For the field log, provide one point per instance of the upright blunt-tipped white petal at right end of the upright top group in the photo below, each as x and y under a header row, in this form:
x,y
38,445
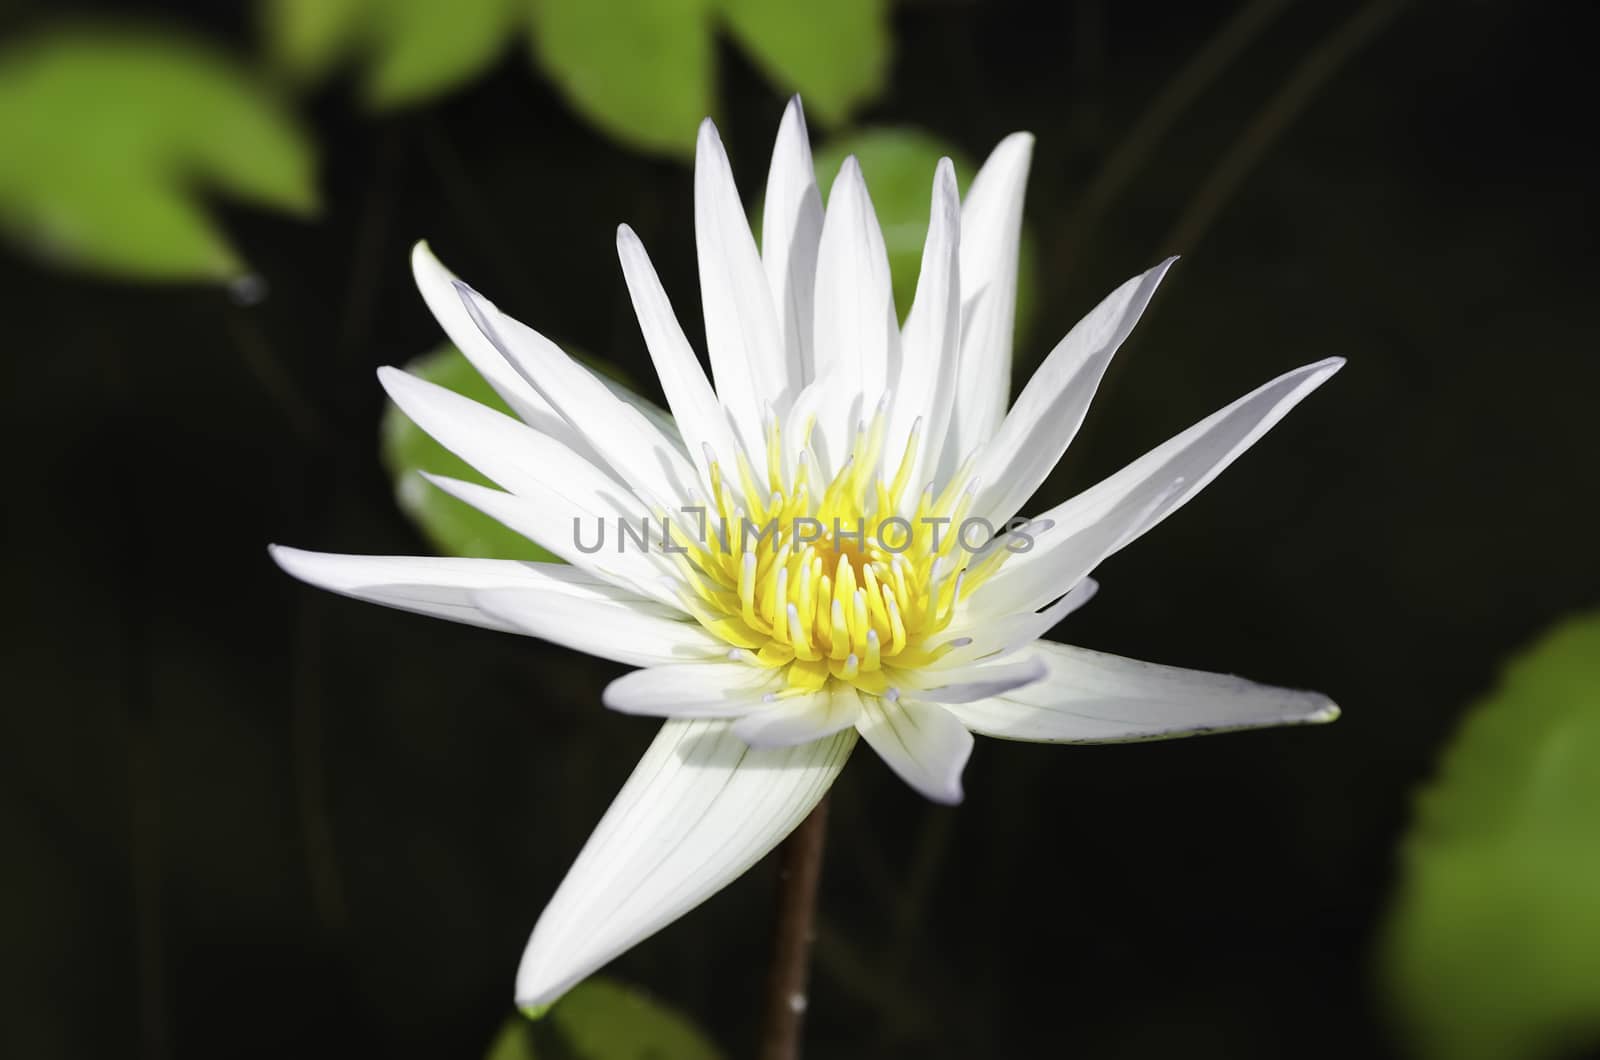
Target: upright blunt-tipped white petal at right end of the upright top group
x,y
991,243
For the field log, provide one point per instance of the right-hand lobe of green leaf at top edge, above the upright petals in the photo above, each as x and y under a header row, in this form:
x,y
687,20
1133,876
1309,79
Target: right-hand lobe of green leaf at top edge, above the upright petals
x,y
836,54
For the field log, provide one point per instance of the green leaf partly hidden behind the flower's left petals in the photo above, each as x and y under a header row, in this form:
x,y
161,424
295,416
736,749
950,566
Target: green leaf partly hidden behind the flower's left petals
x,y
454,528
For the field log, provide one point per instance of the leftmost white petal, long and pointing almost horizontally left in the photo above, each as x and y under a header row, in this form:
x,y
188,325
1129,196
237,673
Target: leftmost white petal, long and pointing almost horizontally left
x,y
430,585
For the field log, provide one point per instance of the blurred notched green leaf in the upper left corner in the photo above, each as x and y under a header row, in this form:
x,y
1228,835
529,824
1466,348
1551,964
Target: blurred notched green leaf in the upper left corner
x,y
111,135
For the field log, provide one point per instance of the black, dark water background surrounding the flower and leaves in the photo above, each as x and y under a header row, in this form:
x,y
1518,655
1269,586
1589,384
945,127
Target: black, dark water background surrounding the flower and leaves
x,y
249,819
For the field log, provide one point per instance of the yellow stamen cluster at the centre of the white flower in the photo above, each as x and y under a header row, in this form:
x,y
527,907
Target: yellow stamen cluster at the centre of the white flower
x,y
833,580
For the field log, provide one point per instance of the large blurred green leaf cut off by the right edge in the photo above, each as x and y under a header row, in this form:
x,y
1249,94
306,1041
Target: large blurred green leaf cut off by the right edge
x,y
1495,942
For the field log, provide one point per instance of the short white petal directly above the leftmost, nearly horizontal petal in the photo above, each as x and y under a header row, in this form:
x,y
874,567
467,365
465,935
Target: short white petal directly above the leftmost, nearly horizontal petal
x,y
580,521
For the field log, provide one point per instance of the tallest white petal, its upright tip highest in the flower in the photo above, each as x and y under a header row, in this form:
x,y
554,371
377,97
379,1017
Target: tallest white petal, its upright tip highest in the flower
x,y
791,228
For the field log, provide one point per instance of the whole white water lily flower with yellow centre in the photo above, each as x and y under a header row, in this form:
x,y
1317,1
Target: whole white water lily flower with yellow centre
x,y
770,654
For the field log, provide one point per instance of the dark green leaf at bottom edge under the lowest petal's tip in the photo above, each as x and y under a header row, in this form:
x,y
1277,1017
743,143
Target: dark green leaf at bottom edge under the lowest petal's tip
x,y
606,1021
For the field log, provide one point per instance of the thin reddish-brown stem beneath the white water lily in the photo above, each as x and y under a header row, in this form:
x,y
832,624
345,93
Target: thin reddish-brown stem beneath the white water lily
x,y
799,870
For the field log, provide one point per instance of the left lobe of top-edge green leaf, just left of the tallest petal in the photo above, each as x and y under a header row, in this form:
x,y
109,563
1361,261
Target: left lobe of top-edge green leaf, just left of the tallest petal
x,y
646,76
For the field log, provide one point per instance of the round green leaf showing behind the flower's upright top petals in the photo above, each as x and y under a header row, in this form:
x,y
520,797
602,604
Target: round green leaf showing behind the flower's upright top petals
x,y
898,166
